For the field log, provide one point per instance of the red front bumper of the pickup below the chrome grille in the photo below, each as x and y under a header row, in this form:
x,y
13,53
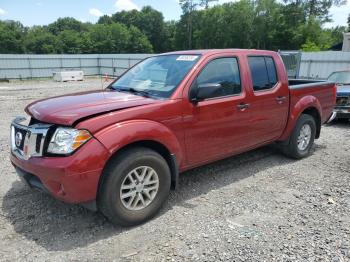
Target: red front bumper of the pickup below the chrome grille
x,y
72,179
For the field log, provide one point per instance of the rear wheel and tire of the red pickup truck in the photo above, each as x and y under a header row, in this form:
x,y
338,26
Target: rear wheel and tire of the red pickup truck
x,y
294,149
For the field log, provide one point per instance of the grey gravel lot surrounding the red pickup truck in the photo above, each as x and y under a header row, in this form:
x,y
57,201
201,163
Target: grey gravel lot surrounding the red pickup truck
x,y
256,206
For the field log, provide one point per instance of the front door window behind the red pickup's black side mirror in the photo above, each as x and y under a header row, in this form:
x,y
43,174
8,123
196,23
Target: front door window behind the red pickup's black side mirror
x,y
223,71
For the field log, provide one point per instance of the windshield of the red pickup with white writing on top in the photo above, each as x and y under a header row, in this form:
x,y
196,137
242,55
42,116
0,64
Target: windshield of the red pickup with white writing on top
x,y
156,76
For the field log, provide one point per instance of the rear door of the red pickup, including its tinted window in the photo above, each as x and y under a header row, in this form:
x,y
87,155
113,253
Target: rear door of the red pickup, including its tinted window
x,y
270,101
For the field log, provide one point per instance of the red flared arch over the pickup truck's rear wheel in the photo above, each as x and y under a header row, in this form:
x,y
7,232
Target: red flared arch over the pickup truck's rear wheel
x,y
296,110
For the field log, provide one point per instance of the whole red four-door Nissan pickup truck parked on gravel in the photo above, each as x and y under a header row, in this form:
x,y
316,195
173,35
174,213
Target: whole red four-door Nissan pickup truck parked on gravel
x,y
120,150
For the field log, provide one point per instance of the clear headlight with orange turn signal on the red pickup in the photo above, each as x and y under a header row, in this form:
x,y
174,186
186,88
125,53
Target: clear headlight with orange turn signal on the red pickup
x,y
65,140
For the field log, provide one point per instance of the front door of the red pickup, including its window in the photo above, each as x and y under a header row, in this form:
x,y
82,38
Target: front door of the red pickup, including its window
x,y
217,126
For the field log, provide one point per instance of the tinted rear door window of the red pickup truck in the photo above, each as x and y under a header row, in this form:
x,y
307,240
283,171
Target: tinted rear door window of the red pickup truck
x,y
263,71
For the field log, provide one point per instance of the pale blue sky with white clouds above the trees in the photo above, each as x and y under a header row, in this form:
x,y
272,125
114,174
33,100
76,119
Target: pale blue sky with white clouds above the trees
x,y
42,12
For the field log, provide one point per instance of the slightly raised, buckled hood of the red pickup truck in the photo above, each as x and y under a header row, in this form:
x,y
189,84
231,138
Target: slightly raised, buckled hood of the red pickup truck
x,y
67,109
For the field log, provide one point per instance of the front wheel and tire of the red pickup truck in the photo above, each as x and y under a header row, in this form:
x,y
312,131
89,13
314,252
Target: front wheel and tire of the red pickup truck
x,y
121,172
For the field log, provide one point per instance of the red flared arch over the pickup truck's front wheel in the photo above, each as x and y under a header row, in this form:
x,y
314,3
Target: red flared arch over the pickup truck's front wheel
x,y
116,136
